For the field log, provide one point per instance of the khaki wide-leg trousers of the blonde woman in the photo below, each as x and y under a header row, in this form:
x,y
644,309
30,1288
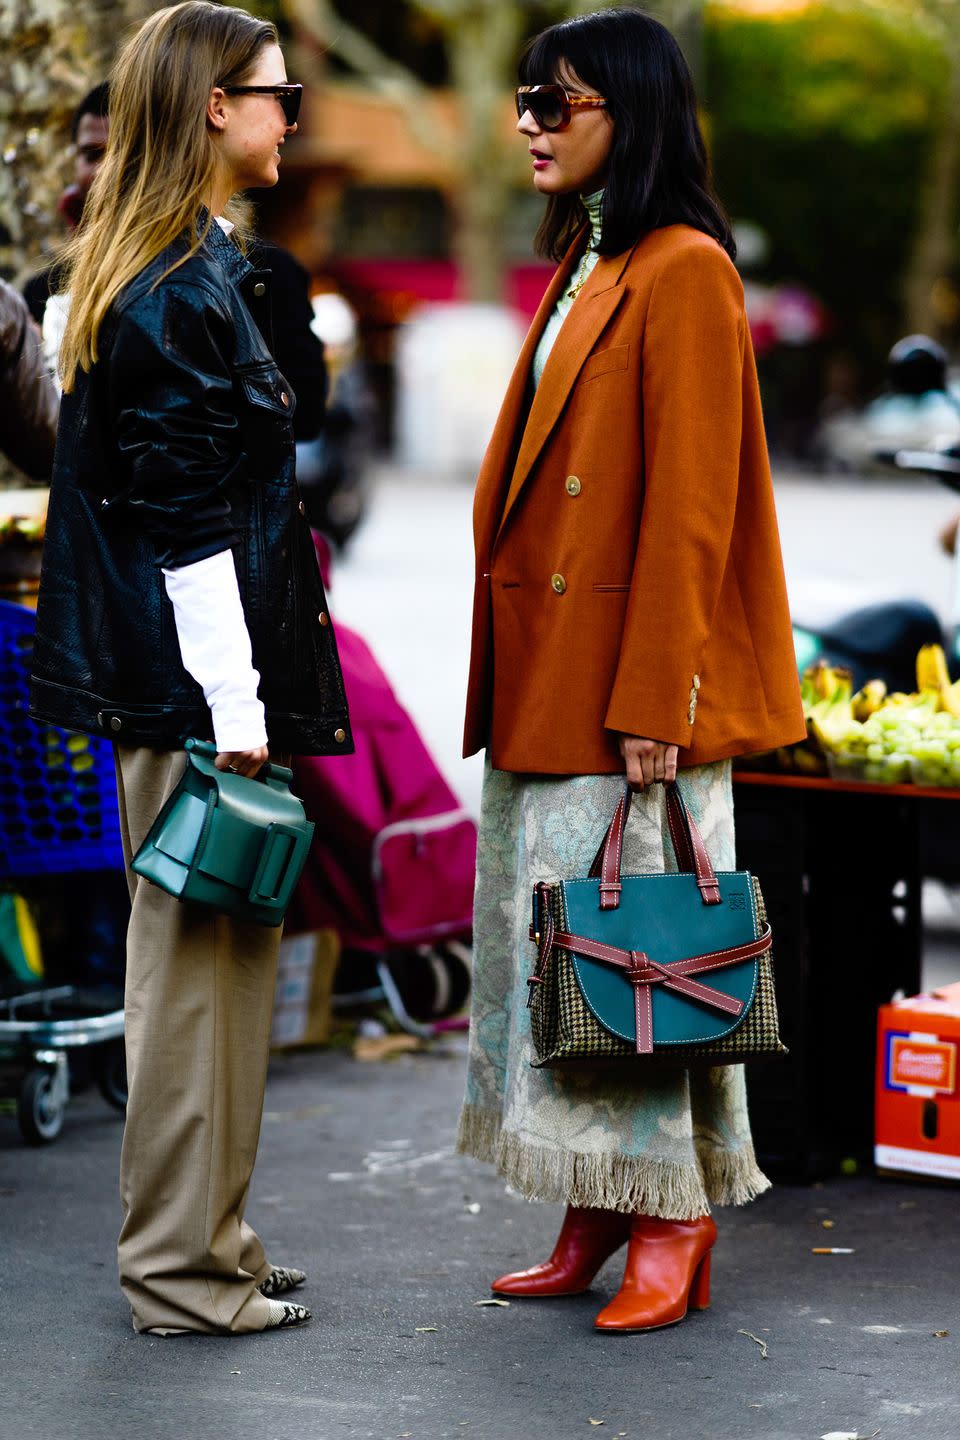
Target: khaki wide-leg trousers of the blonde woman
x,y
199,1006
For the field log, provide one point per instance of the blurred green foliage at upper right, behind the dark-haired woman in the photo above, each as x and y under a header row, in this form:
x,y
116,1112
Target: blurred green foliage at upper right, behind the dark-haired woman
x,y
823,123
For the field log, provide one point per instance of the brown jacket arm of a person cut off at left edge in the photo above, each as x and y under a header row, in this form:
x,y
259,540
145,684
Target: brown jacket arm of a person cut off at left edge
x,y
28,398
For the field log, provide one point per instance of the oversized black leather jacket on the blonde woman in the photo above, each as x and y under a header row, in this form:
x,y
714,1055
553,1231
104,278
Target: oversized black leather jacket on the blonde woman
x,y
175,447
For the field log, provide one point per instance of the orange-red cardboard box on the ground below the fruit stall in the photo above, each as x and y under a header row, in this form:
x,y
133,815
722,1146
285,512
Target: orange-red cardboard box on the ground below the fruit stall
x,y
918,1114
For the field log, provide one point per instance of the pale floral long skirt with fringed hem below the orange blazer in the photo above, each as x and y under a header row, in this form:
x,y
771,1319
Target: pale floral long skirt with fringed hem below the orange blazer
x,y
667,1143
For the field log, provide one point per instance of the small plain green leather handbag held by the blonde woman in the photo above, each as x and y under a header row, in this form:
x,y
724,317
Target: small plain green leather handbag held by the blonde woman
x,y
228,842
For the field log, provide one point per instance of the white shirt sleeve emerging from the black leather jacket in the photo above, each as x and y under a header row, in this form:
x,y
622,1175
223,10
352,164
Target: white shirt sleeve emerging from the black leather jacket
x,y
215,647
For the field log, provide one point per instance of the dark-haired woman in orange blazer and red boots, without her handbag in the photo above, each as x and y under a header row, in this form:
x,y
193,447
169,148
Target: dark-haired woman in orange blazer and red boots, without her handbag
x,y
630,618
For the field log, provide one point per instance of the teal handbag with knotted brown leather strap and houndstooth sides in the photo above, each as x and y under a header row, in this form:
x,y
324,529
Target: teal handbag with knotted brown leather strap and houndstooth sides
x,y
661,967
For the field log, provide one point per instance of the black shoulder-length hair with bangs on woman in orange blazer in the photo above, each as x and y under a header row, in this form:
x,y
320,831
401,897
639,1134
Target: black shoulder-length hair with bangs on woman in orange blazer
x,y
658,171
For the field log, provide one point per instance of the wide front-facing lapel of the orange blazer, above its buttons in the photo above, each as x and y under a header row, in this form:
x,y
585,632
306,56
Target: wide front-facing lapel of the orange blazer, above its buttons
x,y
579,333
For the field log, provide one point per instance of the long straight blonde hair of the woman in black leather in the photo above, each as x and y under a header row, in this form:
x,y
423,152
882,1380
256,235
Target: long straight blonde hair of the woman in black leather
x,y
160,163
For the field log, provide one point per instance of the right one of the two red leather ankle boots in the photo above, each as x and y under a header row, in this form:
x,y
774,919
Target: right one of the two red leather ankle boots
x,y
667,1272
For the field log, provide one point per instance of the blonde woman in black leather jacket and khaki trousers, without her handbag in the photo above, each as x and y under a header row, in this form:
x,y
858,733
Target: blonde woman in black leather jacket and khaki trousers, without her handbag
x,y
181,597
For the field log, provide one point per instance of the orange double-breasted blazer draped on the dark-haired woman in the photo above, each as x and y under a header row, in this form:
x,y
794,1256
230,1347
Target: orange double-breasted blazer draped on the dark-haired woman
x,y
628,559
